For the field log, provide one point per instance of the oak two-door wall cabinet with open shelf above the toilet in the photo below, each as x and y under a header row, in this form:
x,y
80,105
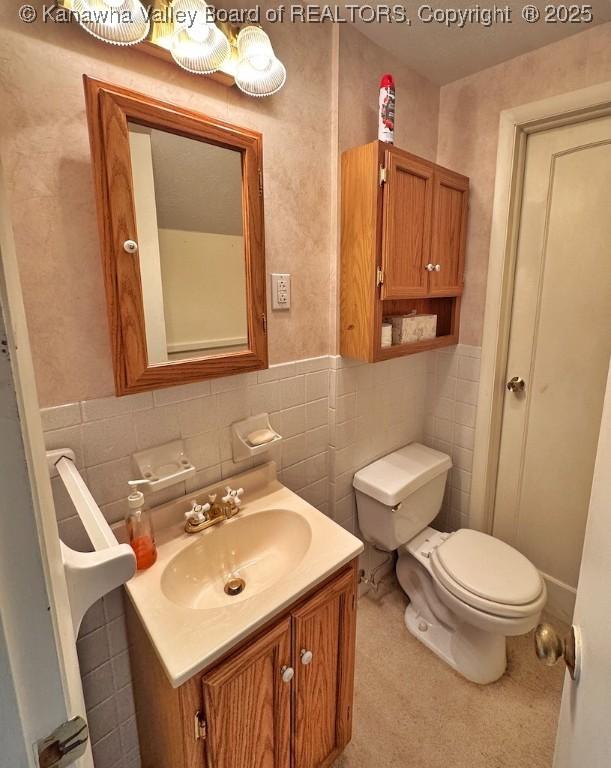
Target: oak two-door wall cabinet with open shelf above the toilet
x,y
403,233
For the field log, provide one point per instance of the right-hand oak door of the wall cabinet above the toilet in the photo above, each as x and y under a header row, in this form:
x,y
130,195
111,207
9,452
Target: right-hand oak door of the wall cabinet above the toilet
x,y
450,199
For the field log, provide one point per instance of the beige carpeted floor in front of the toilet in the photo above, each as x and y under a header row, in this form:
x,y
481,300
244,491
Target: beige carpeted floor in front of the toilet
x,y
413,711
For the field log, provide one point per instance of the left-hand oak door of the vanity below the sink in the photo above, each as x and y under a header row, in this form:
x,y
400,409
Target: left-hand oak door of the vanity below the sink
x,y
248,705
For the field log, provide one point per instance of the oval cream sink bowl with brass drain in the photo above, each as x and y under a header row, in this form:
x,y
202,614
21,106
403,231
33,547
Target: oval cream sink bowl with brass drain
x,y
261,549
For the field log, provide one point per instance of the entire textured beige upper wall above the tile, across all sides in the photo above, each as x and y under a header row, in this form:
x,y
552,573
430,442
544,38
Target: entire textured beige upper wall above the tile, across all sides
x,y
45,152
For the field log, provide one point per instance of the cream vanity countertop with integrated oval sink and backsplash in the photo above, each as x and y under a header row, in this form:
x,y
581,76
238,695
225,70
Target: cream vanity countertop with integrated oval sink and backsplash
x,y
278,544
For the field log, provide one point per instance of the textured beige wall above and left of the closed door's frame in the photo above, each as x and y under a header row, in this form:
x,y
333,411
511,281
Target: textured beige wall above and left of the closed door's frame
x,y
468,133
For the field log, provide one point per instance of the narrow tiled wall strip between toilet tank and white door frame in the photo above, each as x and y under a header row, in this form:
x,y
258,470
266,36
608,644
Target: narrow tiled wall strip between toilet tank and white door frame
x,y
452,386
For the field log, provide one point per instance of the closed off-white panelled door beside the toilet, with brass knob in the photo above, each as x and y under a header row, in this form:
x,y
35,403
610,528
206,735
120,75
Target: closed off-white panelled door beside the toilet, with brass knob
x,y
560,343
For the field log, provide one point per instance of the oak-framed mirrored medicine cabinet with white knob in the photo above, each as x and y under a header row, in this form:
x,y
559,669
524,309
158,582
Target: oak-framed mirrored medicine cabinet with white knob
x,y
180,211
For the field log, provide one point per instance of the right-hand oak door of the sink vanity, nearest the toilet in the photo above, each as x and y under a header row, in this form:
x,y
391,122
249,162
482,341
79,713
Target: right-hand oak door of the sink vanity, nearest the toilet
x,y
324,631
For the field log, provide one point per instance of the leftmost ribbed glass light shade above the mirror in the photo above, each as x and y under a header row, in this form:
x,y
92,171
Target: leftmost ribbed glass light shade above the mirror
x,y
119,22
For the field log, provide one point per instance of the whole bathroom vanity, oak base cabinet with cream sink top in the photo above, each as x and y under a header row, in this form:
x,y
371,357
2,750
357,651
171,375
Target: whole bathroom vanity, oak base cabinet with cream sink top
x,y
261,678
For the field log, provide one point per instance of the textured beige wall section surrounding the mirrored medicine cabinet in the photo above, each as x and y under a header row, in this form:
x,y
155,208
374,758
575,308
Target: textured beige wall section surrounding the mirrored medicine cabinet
x,y
45,153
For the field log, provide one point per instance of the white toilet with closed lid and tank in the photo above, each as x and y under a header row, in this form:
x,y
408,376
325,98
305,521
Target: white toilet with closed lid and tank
x,y
468,591
